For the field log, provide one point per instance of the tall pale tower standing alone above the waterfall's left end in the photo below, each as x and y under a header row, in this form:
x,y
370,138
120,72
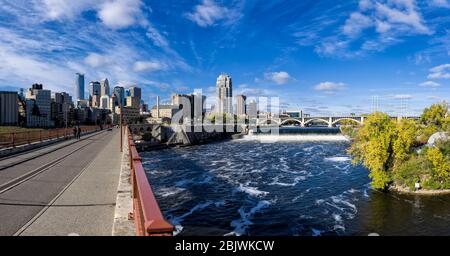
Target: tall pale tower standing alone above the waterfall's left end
x,y
225,94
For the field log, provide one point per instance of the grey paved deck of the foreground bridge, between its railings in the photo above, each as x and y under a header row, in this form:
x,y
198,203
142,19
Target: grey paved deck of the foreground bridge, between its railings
x,y
71,190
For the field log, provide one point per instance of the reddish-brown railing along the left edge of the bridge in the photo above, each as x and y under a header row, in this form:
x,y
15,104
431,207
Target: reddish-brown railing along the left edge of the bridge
x,y
14,139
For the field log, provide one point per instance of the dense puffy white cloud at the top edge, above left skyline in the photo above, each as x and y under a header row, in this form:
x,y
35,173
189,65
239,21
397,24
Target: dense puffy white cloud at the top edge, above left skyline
x,y
120,14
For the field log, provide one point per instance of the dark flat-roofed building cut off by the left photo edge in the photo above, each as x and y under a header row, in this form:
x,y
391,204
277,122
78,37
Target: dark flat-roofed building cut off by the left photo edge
x,y
9,108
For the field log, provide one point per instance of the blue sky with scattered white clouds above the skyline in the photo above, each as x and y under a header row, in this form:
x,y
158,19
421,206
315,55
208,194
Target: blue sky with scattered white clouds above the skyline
x,y
322,56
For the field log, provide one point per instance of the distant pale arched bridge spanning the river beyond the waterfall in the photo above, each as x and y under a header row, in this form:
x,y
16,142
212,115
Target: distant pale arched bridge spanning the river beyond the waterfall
x,y
330,121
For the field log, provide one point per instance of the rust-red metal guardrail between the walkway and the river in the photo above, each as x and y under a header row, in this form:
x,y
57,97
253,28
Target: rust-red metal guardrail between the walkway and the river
x,y
148,219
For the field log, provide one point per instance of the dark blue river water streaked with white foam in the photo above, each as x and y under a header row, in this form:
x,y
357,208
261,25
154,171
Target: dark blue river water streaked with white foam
x,y
295,186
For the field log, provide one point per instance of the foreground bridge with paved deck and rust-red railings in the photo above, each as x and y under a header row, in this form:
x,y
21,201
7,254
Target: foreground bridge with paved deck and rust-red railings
x,y
93,186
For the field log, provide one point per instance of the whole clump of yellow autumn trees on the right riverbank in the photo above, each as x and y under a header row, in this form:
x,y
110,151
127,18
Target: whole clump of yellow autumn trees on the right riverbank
x,y
389,149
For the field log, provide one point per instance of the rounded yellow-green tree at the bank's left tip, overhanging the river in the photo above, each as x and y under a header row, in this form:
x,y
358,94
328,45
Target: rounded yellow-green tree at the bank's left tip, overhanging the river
x,y
373,147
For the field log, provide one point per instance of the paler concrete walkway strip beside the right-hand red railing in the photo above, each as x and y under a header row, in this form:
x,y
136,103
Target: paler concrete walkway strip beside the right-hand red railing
x,y
86,206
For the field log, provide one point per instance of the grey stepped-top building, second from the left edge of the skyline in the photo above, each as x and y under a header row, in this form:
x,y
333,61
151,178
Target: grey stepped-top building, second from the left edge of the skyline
x,y
38,103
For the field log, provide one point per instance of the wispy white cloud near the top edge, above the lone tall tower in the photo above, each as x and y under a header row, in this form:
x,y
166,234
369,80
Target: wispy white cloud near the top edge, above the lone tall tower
x,y
208,13
